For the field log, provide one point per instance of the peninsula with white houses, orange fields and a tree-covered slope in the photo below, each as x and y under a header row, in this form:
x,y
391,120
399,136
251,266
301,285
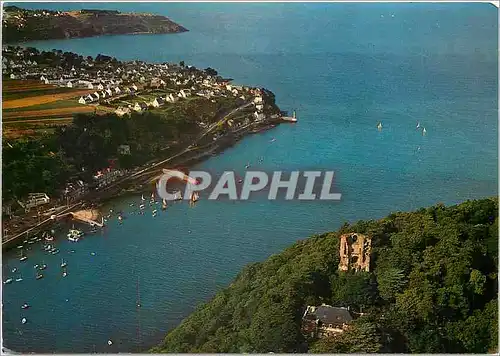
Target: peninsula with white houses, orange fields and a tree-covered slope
x,y
82,129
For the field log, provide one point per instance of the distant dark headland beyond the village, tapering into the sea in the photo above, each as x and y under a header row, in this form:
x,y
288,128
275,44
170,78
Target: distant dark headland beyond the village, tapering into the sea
x,y
25,25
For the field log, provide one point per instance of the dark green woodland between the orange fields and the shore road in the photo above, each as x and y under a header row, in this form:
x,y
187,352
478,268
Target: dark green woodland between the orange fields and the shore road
x,y
78,151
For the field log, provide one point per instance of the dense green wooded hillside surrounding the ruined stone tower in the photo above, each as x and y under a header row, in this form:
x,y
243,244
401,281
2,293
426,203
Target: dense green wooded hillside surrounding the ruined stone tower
x,y
432,289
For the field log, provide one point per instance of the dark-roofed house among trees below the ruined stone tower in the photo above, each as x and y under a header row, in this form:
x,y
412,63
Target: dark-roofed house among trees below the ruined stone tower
x,y
324,320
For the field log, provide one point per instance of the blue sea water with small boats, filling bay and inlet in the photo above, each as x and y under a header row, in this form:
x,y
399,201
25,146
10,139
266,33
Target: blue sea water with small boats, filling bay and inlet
x,y
344,67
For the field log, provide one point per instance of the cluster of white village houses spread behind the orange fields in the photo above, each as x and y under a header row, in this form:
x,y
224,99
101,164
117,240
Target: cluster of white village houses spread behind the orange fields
x,y
124,87
